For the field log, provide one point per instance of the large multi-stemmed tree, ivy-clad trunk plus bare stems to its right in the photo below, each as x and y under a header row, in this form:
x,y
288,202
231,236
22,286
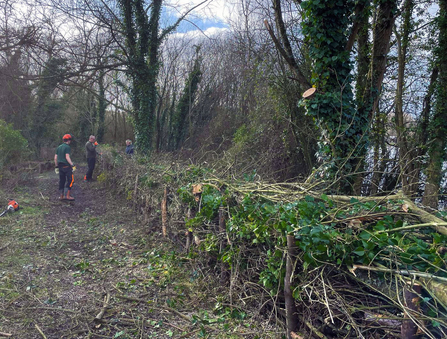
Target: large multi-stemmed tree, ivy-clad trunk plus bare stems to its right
x,y
329,32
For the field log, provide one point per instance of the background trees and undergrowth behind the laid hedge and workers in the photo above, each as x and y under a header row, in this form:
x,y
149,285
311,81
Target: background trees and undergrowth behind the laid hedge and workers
x,y
377,121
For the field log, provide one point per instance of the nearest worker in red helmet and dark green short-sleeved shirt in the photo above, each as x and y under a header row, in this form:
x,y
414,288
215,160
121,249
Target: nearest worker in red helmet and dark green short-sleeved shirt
x,y
65,167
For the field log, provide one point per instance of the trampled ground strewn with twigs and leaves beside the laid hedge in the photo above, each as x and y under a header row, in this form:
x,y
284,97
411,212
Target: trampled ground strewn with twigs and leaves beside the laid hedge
x,y
90,269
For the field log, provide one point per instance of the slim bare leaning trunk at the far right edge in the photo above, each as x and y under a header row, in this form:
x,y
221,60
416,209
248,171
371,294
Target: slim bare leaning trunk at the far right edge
x,y
438,128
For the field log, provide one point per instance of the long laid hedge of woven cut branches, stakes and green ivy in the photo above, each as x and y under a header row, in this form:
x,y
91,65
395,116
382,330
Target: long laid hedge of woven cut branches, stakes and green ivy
x,y
326,266
